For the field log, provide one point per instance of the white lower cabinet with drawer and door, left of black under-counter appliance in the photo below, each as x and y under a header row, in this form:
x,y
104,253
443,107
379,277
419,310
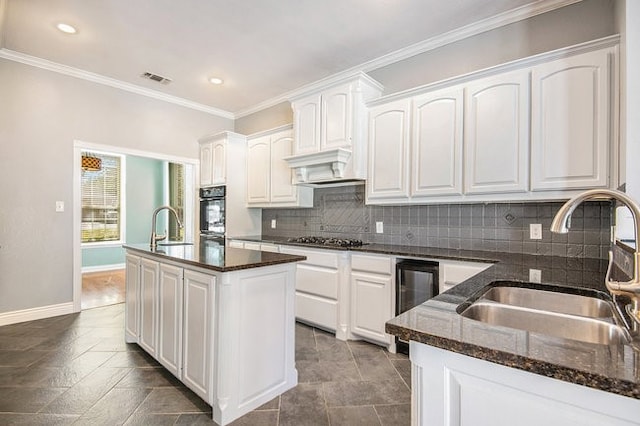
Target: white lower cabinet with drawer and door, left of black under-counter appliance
x,y
372,283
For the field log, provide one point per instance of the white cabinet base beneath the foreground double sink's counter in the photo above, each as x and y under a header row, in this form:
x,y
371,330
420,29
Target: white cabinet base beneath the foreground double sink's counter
x,y
454,389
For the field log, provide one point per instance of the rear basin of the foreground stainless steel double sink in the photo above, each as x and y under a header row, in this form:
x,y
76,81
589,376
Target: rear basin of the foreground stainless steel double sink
x,y
572,304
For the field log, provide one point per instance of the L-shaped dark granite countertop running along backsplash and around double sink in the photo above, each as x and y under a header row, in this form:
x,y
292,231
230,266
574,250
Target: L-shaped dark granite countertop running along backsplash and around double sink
x,y
611,368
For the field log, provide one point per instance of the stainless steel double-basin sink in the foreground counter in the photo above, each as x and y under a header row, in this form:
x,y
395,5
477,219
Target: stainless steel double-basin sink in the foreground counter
x,y
568,316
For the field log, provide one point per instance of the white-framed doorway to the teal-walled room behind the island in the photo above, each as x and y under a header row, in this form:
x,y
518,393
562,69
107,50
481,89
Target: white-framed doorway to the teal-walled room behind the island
x,y
96,284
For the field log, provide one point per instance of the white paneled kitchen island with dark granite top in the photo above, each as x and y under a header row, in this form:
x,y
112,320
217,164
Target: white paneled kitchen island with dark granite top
x,y
220,319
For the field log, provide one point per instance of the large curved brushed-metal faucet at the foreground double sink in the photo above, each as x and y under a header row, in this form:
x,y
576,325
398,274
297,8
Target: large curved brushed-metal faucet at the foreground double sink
x,y
562,221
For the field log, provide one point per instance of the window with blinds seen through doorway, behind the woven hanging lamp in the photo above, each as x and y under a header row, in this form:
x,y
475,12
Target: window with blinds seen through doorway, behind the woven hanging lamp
x,y
102,200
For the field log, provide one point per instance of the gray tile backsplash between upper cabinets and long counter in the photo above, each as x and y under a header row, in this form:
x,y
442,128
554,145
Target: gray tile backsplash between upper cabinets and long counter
x,y
341,212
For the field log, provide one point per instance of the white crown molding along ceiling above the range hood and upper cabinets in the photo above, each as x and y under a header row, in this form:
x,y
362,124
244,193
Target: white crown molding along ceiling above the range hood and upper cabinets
x,y
509,17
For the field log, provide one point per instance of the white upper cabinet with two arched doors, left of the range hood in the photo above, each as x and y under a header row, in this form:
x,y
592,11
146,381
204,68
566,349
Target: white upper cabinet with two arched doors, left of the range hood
x,y
269,177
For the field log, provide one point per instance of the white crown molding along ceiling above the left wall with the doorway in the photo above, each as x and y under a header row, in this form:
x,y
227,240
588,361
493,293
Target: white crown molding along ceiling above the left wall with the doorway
x,y
111,82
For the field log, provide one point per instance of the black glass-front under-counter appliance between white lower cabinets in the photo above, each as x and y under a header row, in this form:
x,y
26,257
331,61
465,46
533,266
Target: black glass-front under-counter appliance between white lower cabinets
x,y
416,282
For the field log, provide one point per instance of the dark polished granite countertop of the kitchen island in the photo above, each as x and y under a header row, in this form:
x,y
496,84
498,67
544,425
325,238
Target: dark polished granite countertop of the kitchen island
x,y
216,258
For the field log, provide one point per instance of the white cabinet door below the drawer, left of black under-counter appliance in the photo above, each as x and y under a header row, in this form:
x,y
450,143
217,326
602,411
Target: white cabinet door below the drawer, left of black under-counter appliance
x,y
370,305
